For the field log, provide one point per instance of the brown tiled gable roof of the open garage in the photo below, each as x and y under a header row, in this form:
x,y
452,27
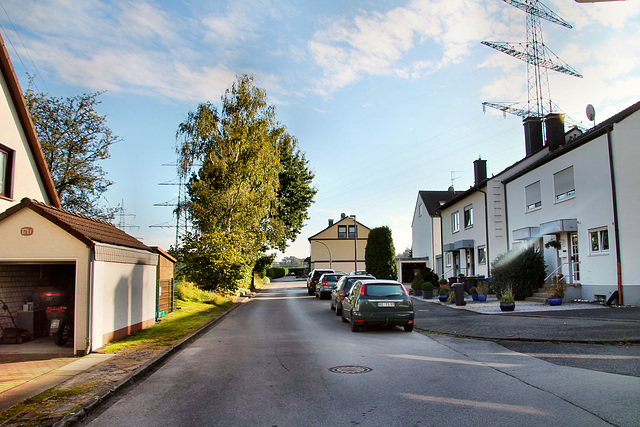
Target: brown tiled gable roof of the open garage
x,y
85,229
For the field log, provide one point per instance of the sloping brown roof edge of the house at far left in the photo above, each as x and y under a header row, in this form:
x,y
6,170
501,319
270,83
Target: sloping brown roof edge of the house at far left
x,y
9,75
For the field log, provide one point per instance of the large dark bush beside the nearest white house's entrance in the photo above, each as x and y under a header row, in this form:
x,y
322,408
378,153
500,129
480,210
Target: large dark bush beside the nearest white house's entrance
x,y
523,270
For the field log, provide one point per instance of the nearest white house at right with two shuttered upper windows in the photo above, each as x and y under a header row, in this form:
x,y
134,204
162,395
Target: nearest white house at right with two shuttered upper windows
x,y
585,194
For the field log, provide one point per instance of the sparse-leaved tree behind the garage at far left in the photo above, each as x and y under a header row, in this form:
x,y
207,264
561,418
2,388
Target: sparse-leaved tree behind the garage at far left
x,y
74,139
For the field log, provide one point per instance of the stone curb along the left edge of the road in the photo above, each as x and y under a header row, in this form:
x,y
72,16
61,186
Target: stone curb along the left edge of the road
x,y
85,410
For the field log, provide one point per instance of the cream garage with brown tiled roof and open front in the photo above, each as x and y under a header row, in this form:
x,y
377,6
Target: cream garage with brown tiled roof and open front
x,y
109,276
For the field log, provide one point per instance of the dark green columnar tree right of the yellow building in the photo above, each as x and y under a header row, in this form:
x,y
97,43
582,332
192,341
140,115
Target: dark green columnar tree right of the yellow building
x,y
379,254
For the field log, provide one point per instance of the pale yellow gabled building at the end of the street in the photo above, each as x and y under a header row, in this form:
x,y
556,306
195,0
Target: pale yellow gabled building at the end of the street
x,y
340,246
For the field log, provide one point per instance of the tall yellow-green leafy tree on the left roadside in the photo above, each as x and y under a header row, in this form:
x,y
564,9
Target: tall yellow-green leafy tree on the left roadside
x,y
242,166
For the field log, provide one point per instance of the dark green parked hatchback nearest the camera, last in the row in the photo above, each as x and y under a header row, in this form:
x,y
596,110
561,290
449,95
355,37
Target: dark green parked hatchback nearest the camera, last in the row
x,y
378,302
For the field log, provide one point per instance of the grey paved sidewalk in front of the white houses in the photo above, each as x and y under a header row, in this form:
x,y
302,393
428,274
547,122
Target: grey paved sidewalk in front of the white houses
x,y
571,323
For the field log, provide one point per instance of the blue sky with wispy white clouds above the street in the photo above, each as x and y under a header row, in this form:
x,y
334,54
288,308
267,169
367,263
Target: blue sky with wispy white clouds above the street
x,y
384,96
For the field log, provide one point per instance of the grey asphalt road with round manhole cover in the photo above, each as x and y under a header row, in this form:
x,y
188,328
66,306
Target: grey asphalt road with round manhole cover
x,y
285,359
